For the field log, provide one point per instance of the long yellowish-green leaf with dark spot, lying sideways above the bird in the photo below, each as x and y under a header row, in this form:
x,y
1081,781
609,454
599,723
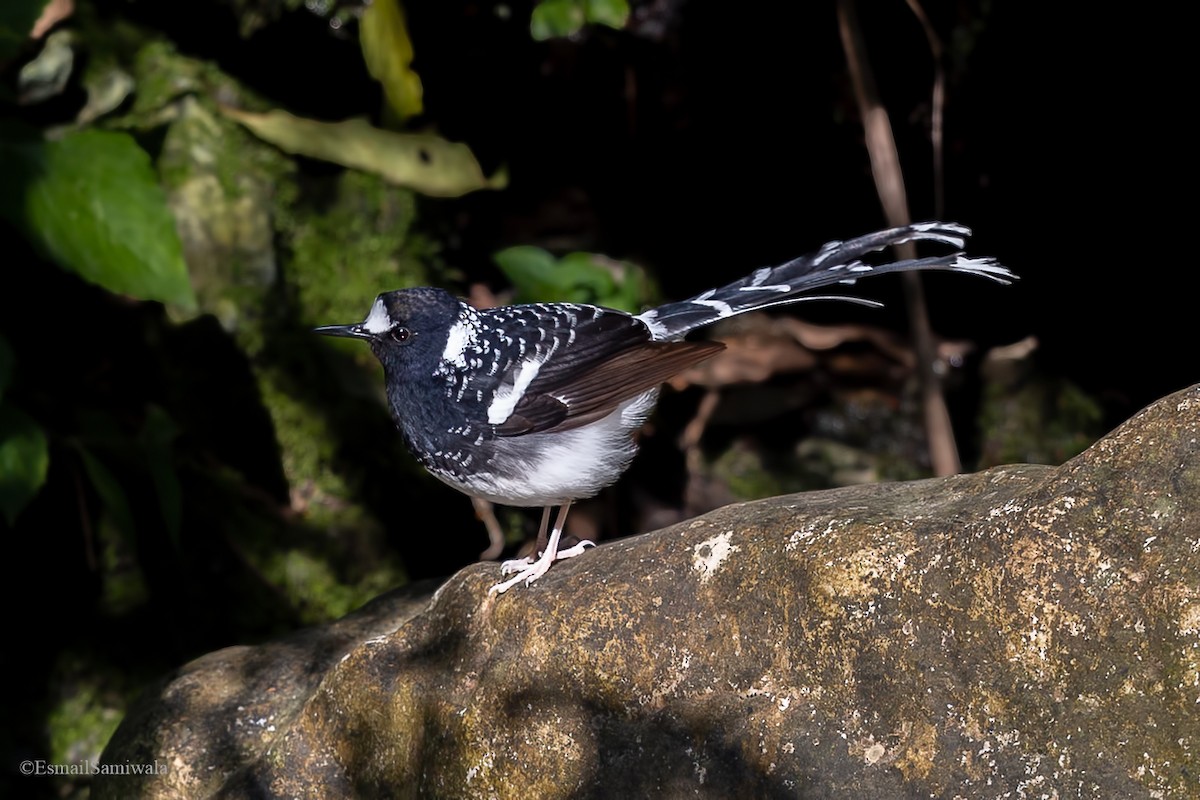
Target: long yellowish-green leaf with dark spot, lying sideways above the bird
x,y
421,161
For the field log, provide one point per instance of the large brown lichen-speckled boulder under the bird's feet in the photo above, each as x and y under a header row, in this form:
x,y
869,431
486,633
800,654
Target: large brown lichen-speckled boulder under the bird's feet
x,y
1025,631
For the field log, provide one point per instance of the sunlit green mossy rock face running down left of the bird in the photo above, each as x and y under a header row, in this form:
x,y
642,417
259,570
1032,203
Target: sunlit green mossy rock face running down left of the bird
x,y
272,251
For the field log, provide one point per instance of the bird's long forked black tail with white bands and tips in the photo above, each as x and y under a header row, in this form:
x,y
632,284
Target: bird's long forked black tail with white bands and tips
x,y
837,263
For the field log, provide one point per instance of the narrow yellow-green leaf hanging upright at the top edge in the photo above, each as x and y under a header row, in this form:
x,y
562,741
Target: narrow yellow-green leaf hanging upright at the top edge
x,y
388,52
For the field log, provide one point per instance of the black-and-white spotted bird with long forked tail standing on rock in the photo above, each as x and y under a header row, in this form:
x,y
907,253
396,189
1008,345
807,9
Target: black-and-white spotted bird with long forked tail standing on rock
x,y
539,405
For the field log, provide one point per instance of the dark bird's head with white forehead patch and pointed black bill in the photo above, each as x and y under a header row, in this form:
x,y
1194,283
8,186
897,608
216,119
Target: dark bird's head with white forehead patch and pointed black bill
x,y
405,328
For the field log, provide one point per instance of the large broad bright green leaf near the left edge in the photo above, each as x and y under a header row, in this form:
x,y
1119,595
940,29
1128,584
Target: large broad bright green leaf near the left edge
x,y
92,203
